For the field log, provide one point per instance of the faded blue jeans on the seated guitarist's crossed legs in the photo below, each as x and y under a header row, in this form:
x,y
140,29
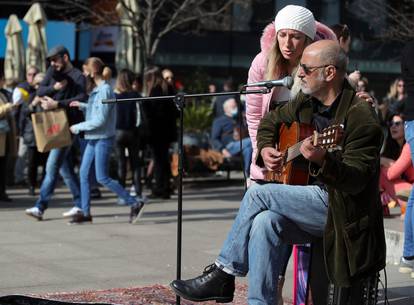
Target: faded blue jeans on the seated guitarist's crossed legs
x,y
271,216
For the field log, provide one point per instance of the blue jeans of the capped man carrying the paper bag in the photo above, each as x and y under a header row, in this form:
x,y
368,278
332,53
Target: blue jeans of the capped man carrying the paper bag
x,y
58,161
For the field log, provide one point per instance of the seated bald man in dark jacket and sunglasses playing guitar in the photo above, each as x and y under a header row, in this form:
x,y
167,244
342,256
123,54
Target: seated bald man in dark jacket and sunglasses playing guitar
x,y
342,205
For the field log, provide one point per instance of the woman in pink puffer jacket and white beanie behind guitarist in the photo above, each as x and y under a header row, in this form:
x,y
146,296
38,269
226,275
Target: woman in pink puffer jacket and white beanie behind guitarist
x,y
282,44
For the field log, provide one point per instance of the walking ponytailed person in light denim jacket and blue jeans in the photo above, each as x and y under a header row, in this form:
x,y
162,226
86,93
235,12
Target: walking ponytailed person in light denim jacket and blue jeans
x,y
99,128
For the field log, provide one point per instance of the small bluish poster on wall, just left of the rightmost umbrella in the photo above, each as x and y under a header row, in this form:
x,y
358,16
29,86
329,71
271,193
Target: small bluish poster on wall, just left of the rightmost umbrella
x,y
104,39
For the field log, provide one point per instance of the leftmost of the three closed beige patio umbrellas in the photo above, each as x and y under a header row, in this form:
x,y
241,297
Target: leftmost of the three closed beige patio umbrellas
x,y
14,59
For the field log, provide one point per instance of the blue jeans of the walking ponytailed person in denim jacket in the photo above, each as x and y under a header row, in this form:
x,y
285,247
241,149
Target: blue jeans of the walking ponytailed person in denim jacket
x,y
99,151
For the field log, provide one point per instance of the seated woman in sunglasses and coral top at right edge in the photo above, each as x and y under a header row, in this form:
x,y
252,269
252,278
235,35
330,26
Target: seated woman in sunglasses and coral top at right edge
x,y
397,171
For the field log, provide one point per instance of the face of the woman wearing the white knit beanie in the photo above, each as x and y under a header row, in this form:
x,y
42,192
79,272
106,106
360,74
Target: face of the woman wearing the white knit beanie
x,y
291,44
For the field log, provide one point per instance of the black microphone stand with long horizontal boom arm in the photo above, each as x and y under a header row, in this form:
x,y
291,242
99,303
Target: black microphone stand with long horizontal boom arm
x,y
179,100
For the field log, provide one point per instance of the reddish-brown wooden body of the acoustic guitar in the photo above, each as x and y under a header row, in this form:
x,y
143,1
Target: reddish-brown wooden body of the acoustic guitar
x,y
295,172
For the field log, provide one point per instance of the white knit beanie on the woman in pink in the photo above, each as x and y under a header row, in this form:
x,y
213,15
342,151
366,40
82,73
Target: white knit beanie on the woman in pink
x,y
298,18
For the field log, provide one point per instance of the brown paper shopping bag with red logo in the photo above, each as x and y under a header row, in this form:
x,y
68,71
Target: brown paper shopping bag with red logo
x,y
51,129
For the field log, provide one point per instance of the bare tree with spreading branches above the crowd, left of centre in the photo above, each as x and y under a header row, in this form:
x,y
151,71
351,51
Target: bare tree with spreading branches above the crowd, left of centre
x,y
153,19
